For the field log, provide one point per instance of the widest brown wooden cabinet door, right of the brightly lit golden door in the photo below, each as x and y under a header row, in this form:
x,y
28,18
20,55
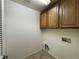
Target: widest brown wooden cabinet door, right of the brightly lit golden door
x,y
68,17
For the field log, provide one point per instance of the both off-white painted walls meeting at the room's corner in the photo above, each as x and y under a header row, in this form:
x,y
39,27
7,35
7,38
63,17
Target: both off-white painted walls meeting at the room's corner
x,y
23,35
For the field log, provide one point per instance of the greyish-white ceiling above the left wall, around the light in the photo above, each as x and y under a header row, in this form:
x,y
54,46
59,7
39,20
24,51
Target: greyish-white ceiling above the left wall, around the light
x,y
34,4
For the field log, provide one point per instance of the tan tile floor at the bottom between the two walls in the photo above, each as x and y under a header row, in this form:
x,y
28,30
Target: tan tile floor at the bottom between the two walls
x,y
40,55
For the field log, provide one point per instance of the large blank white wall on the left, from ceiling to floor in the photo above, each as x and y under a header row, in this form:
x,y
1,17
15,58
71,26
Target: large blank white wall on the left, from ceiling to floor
x,y
23,35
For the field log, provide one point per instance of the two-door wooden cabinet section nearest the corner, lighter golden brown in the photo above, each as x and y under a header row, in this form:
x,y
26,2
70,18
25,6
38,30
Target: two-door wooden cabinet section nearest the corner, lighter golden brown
x,y
49,18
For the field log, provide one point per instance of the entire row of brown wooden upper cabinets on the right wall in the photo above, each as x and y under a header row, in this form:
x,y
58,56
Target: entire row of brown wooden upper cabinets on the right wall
x,y
65,15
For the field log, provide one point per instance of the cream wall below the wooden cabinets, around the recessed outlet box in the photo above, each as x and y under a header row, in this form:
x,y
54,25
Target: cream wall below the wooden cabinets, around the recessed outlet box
x,y
60,49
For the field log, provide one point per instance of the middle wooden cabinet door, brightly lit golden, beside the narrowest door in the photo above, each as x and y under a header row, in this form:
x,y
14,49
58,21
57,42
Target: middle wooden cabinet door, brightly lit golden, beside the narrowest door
x,y
53,17
